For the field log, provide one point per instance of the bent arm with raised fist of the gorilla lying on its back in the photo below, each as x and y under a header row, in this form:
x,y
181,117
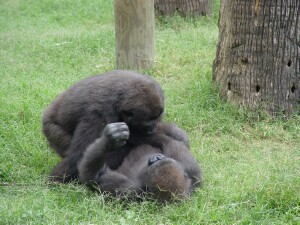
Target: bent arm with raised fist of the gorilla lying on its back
x,y
92,168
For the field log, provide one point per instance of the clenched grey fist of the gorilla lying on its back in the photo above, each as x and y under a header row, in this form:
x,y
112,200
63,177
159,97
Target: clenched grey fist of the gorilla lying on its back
x,y
116,135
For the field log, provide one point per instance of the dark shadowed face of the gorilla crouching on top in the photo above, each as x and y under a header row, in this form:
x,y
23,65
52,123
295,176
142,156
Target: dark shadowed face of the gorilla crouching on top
x,y
143,121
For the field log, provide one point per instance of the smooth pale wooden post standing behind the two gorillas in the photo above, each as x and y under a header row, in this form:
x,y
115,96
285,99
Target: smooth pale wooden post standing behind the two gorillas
x,y
134,25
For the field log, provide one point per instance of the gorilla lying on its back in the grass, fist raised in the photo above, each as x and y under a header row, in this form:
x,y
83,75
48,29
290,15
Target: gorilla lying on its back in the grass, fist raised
x,y
168,172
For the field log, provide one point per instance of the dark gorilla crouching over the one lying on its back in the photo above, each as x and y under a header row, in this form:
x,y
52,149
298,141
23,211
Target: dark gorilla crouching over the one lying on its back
x,y
77,117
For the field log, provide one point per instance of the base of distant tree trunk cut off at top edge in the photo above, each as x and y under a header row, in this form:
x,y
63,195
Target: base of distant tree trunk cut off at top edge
x,y
183,7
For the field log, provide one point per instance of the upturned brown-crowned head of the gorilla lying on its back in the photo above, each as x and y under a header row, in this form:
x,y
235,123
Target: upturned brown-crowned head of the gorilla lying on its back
x,y
166,178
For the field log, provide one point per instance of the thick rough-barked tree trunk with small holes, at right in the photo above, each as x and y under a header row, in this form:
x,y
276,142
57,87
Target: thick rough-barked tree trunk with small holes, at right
x,y
257,62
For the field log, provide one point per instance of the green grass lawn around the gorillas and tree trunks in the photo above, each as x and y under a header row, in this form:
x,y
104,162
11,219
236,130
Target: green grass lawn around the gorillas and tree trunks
x,y
251,162
